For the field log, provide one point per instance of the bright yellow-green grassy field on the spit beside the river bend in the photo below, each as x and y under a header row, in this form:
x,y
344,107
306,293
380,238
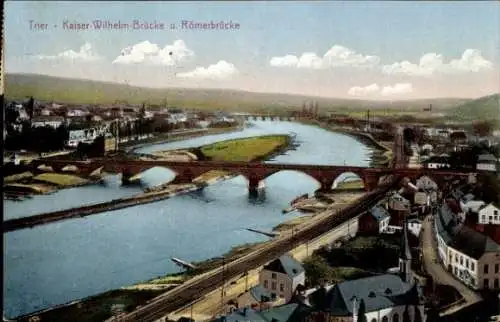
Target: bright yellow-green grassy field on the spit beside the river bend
x,y
247,149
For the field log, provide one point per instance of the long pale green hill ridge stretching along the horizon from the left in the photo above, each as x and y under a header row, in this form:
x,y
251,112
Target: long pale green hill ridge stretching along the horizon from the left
x,y
68,90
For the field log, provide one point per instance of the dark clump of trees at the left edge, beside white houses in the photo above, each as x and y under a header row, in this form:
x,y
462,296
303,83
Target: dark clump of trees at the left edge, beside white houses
x,y
38,139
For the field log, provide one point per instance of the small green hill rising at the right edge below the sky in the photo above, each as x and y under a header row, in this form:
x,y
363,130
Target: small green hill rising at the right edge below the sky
x,y
483,108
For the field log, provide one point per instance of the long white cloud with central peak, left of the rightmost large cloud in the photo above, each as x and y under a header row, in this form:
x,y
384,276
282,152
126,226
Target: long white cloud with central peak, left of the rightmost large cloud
x,y
337,56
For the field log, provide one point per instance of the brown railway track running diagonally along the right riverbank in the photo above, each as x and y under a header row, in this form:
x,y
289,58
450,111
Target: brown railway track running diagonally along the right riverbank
x,y
199,286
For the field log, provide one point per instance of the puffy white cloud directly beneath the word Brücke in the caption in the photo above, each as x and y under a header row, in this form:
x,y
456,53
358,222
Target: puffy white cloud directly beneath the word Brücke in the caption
x,y
149,53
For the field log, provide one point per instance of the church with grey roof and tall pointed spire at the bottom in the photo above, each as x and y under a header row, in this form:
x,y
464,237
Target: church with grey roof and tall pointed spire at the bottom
x,y
384,297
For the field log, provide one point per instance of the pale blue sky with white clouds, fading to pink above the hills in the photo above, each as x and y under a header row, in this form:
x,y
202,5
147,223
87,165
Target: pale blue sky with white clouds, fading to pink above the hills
x,y
362,50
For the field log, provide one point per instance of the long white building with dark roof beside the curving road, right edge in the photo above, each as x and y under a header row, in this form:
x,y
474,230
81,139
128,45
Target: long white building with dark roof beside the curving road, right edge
x,y
466,253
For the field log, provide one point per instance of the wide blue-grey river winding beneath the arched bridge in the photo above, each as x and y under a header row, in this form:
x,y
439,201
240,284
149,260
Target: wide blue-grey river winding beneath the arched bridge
x,y
68,260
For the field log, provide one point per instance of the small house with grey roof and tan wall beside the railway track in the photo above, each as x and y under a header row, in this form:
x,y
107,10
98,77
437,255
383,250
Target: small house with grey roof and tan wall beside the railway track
x,y
282,276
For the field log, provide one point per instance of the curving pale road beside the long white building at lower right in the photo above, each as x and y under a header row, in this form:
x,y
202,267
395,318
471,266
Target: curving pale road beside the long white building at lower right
x,y
436,270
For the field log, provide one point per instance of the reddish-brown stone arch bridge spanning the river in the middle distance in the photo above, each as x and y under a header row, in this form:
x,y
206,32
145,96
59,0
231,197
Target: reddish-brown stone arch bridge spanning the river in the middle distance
x,y
254,172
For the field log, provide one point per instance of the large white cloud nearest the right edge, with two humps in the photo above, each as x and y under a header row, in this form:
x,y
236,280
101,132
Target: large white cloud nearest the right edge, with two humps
x,y
471,61
